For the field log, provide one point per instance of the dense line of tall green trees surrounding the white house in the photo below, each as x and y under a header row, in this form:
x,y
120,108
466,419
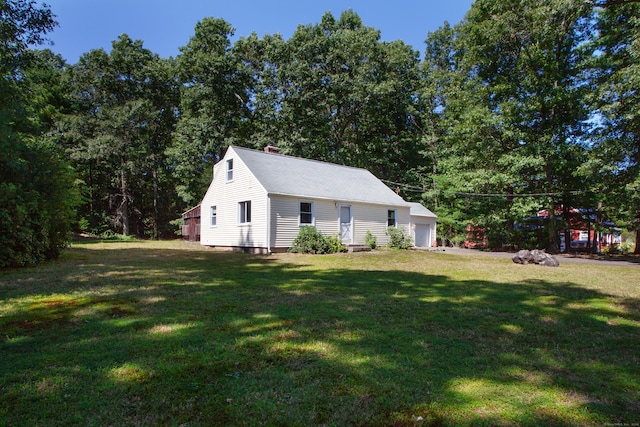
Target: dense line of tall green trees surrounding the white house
x,y
522,106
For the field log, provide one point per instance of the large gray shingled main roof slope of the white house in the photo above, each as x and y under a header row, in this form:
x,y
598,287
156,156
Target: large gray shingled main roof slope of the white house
x,y
294,176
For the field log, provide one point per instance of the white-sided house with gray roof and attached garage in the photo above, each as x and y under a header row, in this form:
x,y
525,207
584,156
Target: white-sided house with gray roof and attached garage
x,y
258,201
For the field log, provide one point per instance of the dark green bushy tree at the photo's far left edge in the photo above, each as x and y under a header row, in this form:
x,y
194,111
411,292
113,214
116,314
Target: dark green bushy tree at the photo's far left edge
x,y
37,195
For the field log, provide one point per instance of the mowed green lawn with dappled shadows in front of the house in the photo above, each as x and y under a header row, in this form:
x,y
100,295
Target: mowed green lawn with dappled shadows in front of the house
x,y
168,333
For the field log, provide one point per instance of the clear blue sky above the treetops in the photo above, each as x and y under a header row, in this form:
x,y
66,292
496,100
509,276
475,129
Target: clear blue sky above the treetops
x,y
164,26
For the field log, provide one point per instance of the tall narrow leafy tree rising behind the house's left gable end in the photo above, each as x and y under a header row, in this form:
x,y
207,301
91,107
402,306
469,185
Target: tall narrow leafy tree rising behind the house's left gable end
x,y
213,109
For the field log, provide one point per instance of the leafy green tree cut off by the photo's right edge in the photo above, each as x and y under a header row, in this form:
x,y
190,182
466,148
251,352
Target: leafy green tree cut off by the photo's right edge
x,y
616,150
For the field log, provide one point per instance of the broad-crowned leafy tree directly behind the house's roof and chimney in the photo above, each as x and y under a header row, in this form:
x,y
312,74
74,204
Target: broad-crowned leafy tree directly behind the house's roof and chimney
x,y
346,97
